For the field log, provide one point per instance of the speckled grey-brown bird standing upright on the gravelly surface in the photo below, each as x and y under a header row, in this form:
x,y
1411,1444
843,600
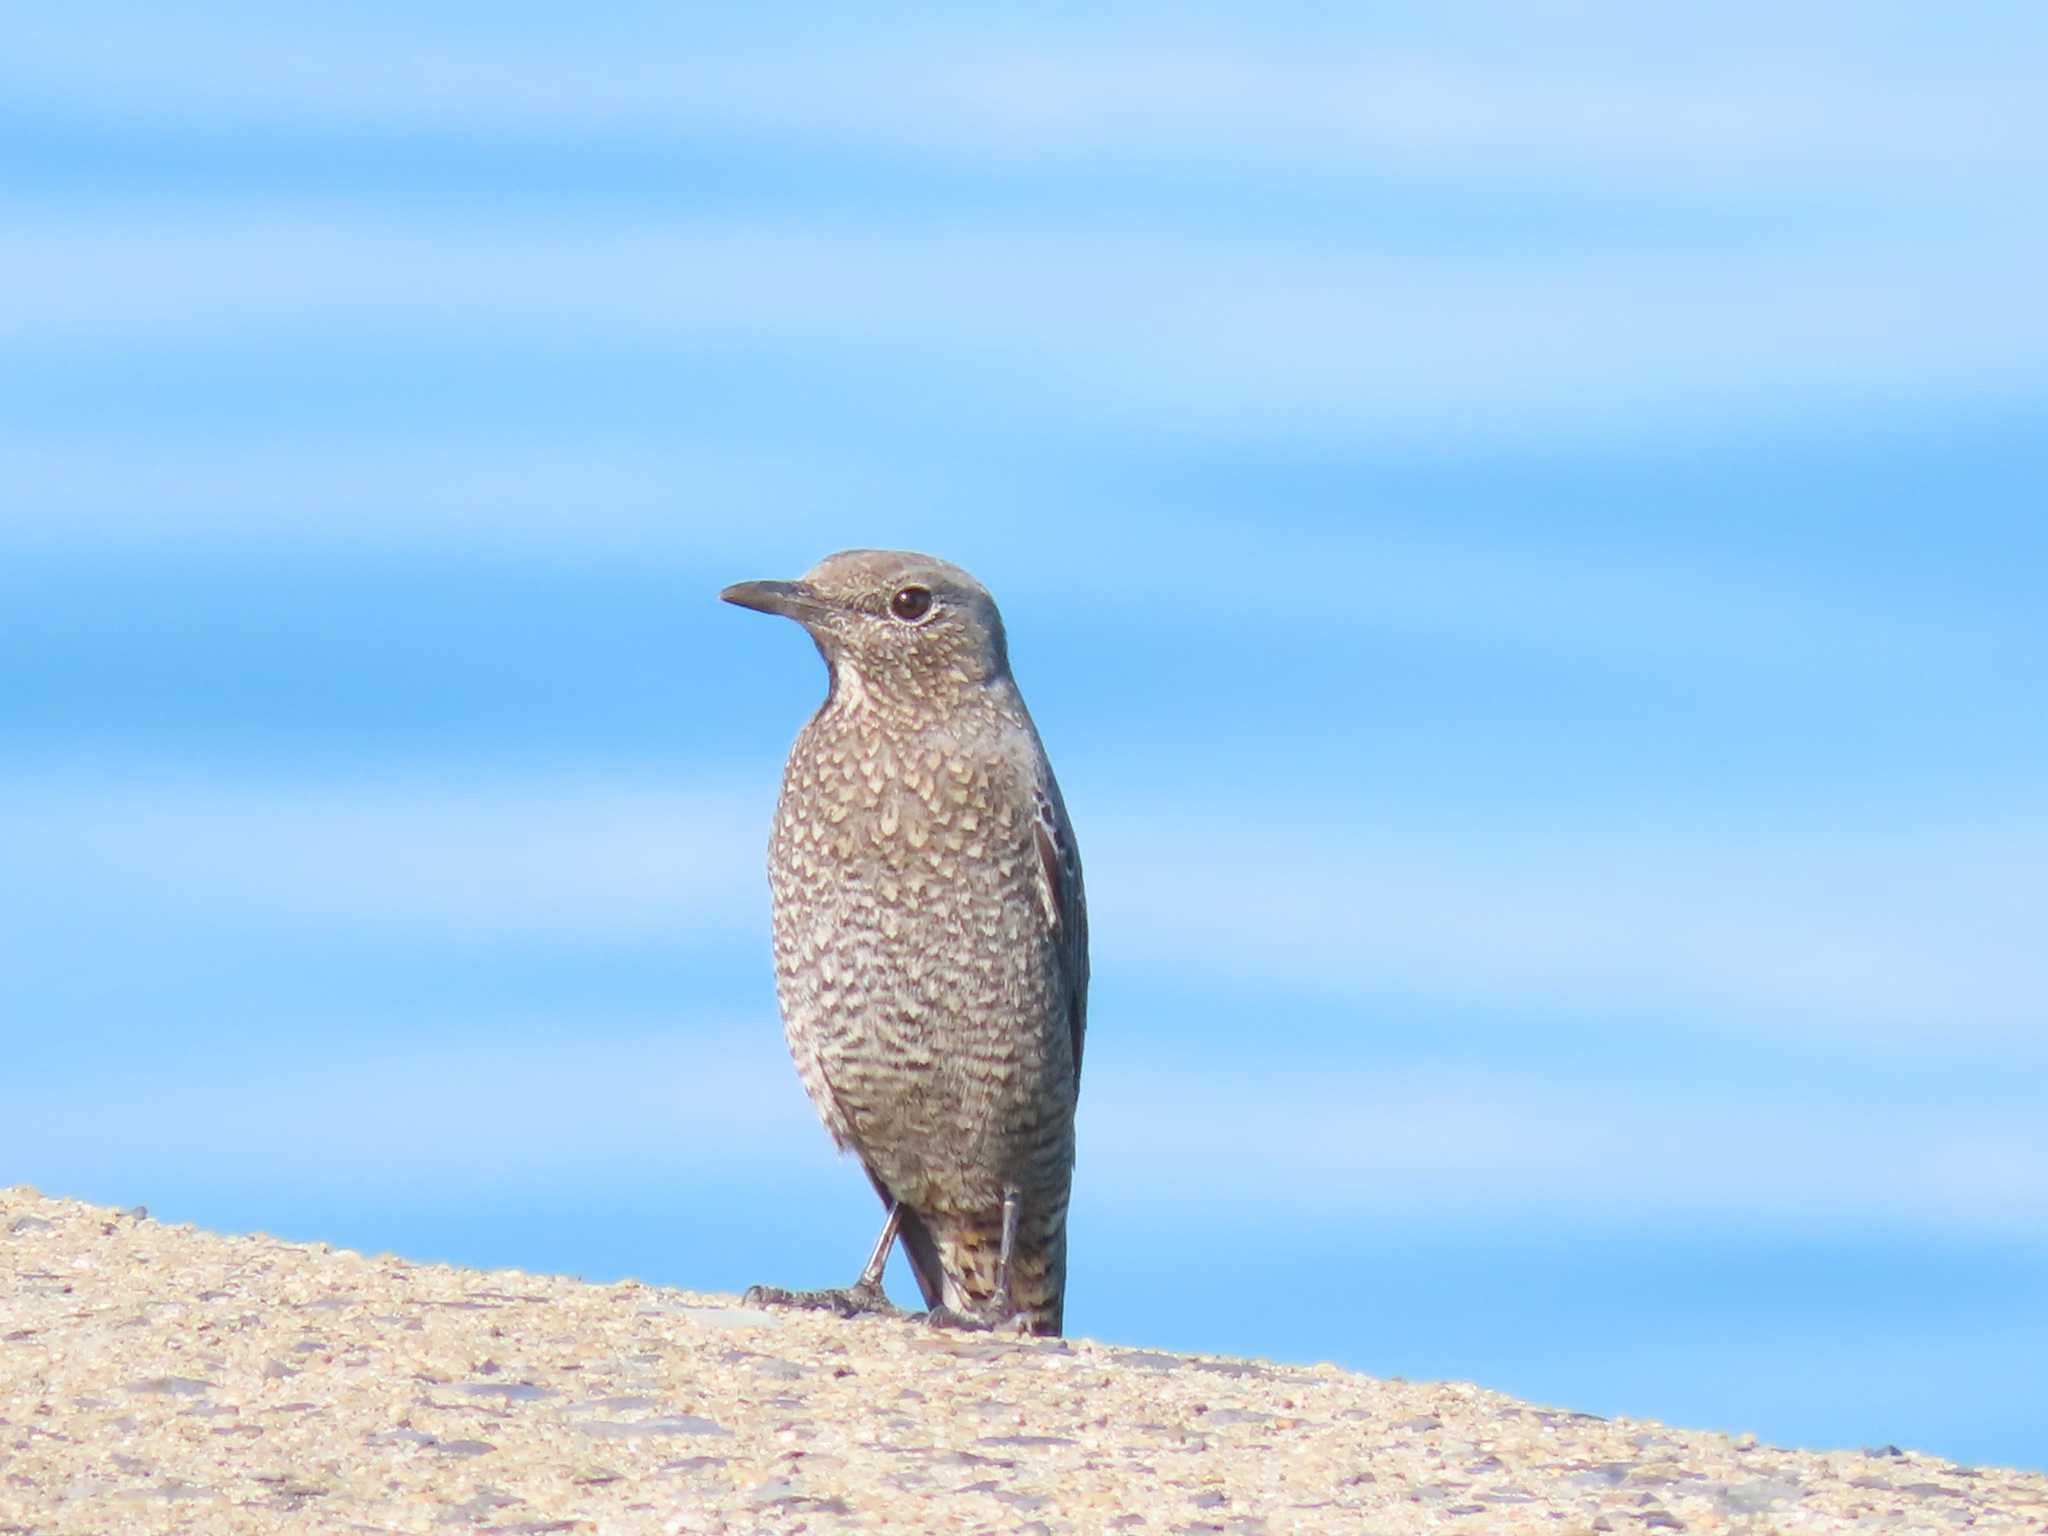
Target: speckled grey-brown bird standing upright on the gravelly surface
x,y
931,939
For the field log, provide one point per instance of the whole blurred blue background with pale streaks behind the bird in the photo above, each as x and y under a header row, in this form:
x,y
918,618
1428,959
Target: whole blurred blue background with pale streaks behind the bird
x,y
1525,529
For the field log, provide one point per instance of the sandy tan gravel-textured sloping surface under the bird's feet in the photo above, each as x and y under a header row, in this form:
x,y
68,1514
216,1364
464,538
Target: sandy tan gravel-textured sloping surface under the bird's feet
x,y
161,1379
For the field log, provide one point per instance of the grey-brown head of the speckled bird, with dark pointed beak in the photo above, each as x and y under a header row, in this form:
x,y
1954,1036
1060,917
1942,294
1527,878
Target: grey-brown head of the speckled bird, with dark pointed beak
x,y
892,624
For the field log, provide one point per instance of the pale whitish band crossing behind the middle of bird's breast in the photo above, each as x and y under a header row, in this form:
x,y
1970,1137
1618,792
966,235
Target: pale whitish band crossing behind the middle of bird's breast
x,y
1897,939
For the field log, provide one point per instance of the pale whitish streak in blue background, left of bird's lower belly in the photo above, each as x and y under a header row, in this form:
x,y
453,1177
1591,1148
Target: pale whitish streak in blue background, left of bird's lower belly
x,y
450,1107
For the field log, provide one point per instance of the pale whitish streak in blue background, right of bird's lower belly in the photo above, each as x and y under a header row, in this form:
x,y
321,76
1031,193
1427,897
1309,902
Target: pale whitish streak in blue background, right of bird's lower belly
x,y
1582,1144
